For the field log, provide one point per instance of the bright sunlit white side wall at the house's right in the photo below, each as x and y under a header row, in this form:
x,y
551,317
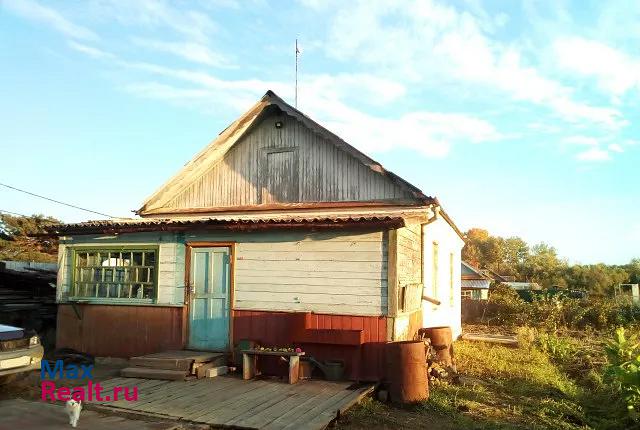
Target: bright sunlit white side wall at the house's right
x,y
448,313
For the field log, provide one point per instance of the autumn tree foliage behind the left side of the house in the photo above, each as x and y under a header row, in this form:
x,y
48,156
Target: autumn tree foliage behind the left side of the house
x,y
17,242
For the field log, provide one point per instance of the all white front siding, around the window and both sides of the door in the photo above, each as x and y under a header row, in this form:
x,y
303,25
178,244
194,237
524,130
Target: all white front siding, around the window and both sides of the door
x,y
325,272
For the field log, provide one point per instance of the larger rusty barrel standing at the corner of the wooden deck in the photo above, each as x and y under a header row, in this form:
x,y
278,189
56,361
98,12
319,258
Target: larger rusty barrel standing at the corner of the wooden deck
x,y
406,371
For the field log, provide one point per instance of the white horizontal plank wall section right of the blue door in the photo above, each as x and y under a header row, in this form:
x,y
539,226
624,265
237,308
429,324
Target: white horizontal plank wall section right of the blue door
x,y
324,272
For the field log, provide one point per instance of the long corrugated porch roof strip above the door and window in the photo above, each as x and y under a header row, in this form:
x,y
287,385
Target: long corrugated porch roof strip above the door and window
x,y
153,224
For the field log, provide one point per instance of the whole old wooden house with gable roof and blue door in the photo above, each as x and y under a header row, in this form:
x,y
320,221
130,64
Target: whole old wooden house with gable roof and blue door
x,y
279,232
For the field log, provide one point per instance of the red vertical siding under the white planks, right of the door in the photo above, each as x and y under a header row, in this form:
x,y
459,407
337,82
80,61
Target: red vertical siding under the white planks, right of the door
x,y
364,362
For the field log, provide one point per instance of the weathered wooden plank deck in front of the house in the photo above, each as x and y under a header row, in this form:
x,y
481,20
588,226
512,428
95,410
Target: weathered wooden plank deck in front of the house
x,y
231,402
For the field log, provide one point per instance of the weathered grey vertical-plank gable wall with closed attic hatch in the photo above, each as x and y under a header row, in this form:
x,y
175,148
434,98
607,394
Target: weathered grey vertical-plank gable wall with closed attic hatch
x,y
325,172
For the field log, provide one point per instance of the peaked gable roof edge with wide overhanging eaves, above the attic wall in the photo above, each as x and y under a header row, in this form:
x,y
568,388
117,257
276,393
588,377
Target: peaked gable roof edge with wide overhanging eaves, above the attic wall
x,y
217,149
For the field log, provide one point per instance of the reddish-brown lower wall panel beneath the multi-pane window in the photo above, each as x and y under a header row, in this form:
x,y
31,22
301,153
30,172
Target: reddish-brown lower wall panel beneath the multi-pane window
x,y
120,331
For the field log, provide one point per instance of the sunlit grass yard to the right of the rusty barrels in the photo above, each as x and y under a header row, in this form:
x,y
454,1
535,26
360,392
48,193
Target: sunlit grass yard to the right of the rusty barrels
x,y
531,387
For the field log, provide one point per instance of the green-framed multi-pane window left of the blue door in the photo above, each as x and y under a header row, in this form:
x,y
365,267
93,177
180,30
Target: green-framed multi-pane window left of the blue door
x,y
115,274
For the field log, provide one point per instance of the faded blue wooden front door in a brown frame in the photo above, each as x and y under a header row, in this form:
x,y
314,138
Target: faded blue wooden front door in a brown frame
x,y
209,308
